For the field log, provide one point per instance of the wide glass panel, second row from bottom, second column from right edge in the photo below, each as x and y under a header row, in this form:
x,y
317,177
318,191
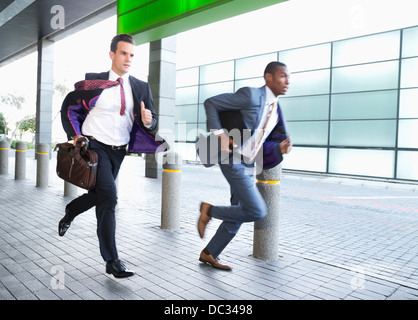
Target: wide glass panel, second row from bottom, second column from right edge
x,y
368,133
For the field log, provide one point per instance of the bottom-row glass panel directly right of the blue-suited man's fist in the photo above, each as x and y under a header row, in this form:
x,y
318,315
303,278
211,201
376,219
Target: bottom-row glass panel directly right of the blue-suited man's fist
x,y
297,159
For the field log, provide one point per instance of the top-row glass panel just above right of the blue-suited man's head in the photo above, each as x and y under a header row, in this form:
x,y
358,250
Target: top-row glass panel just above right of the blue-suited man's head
x,y
308,58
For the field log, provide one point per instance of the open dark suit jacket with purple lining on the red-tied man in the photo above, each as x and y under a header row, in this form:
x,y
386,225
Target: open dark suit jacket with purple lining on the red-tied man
x,y
78,103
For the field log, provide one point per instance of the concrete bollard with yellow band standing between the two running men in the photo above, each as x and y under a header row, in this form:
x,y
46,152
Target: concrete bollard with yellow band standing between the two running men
x,y
170,199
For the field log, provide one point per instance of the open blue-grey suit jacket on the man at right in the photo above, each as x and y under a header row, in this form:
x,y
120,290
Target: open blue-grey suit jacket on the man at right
x,y
243,110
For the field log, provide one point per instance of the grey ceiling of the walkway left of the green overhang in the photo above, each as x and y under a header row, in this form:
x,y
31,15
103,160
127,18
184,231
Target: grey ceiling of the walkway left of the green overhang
x,y
24,22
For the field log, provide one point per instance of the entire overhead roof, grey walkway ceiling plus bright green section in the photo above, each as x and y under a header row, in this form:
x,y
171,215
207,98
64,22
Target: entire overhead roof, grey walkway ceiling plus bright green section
x,y
24,22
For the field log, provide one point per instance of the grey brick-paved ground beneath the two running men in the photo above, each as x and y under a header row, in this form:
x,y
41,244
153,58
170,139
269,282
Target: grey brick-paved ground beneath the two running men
x,y
340,239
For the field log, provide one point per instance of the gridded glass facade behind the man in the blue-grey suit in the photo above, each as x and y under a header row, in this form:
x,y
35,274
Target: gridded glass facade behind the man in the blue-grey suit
x,y
352,106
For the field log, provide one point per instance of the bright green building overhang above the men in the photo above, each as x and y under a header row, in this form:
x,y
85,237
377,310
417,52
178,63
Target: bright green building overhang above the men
x,y
150,20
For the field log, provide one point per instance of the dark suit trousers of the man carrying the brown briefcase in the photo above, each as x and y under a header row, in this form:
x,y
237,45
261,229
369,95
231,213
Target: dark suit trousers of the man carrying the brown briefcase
x,y
103,196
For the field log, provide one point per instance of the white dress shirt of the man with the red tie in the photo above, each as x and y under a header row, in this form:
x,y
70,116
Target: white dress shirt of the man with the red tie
x,y
104,121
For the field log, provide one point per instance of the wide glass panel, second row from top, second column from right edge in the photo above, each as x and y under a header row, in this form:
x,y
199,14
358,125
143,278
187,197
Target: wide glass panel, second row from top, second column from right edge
x,y
375,76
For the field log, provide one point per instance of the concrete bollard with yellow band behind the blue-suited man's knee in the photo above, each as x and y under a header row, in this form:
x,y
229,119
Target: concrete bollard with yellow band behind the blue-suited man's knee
x,y
266,231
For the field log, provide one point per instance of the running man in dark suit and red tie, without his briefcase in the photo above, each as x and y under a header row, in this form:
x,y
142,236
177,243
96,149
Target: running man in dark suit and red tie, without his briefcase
x,y
111,110
